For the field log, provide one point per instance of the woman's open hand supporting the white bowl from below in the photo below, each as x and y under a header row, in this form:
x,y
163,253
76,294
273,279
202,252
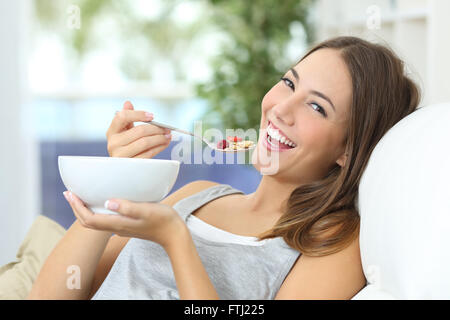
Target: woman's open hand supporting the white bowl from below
x,y
156,222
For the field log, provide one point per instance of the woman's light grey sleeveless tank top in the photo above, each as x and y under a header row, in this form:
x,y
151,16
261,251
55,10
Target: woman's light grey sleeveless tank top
x,y
238,272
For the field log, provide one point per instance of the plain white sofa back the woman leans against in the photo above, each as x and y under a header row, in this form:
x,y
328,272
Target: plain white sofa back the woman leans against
x,y
404,202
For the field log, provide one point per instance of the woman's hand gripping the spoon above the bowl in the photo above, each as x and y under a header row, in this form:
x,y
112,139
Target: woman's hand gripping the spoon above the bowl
x,y
143,141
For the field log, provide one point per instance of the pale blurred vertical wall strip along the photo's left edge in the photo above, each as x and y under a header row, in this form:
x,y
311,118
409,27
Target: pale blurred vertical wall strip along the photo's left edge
x,y
19,161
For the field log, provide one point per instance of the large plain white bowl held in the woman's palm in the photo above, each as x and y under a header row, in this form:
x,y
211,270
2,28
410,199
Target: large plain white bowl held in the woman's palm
x,y
97,179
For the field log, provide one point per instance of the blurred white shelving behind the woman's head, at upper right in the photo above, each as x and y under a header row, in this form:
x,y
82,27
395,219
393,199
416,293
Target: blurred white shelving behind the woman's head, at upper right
x,y
416,29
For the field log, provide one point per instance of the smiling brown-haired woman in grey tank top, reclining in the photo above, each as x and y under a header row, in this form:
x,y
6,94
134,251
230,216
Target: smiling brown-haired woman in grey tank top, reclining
x,y
295,237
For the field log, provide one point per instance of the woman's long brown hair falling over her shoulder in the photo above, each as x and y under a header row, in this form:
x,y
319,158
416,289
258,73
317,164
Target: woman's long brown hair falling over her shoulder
x,y
321,217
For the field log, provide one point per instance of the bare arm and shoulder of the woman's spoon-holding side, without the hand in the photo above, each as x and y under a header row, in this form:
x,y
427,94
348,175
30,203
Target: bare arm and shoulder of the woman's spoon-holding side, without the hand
x,y
92,252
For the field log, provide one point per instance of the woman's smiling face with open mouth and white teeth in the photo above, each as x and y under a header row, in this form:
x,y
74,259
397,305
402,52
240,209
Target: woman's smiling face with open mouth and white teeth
x,y
310,107
